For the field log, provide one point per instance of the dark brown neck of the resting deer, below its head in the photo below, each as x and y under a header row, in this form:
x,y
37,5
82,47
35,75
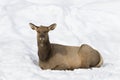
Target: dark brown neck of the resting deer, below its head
x,y
44,50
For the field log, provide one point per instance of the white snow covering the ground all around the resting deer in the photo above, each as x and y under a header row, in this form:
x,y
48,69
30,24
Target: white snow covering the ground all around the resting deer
x,y
94,22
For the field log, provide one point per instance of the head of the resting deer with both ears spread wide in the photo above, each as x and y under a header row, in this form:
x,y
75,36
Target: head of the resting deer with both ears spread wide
x,y
42,32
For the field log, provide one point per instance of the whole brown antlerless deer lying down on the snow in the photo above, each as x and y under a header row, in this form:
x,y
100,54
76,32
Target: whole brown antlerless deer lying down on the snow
x,y
61,57
